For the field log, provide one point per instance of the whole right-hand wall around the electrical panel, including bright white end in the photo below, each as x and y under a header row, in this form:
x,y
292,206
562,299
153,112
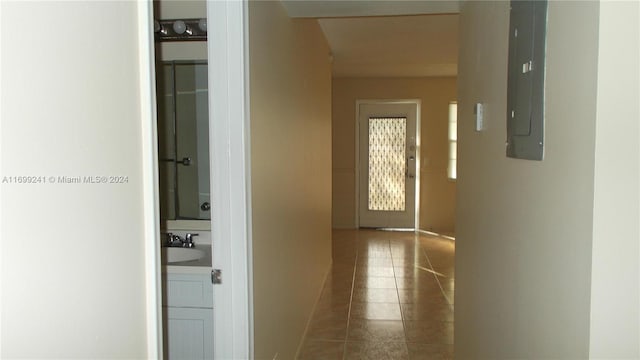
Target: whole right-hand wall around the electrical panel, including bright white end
x,y
526,228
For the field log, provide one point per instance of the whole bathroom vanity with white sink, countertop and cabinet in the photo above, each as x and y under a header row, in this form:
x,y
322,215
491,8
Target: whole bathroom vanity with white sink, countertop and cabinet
x,y
188,301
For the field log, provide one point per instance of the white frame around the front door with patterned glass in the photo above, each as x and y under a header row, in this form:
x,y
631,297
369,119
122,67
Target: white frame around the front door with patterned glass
x,y
417,103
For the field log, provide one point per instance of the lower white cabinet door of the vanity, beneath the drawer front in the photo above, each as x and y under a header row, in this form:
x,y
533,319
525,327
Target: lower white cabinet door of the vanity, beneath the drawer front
x,y
188,333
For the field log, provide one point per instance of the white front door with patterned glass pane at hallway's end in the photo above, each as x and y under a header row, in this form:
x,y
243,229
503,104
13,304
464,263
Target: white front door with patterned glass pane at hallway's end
x,y
387,164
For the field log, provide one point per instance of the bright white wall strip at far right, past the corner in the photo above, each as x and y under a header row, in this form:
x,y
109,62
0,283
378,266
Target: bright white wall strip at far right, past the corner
x,y
615,281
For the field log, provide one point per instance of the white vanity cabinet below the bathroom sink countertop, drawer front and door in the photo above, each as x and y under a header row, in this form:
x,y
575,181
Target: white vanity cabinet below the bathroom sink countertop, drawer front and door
x,y
188,316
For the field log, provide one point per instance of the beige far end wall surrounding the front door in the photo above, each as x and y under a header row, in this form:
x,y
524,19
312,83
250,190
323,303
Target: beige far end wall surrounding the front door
x,y
437,193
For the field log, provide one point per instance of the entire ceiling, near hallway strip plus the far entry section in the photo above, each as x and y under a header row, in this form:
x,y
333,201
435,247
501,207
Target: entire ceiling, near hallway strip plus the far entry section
x,y
366,42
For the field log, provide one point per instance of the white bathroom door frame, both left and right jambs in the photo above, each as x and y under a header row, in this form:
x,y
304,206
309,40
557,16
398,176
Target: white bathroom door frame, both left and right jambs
x,y
229,149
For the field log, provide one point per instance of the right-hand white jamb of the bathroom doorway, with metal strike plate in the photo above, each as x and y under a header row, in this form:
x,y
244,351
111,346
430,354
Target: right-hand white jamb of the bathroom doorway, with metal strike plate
x,y
229,146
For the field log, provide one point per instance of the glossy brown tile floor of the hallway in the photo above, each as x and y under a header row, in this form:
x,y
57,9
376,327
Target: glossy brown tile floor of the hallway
x,y
389,296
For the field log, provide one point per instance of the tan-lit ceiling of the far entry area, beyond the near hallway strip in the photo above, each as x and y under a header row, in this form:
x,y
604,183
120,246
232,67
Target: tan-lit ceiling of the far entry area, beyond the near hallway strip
x,y
399,46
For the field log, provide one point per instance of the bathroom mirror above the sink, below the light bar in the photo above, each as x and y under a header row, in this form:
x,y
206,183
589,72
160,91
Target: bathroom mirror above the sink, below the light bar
x,y
183,140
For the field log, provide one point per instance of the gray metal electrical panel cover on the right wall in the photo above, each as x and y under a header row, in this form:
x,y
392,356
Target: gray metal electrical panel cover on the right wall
x,y
525,87
